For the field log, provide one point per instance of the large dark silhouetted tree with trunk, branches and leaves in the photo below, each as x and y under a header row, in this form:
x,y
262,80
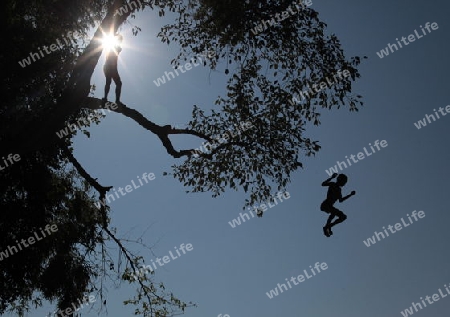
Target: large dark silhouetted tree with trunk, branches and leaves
x,y
48,186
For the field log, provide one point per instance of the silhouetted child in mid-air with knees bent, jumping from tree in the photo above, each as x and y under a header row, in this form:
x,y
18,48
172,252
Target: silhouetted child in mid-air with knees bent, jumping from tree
x,y
334,193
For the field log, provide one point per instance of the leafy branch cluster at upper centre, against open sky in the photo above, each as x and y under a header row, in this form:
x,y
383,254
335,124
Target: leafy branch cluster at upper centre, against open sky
x,y
268,70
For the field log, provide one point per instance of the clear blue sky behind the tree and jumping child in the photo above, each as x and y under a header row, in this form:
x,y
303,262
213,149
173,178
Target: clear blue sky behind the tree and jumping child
x,y
229,269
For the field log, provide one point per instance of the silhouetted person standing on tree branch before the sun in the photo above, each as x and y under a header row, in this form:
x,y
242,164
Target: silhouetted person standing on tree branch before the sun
x,y
110,70
